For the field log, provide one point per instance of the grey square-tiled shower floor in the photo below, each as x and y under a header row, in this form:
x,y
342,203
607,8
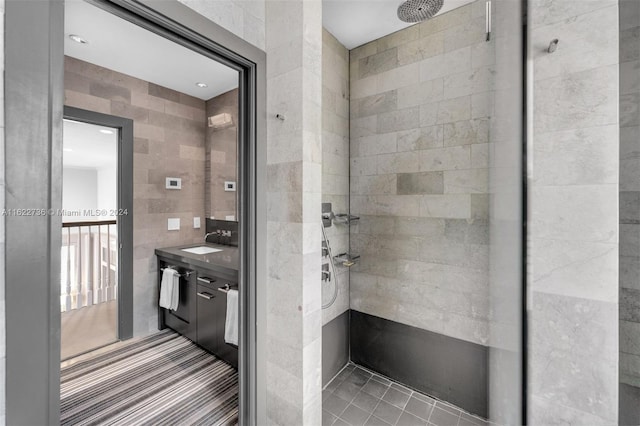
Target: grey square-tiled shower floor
x,y
358,397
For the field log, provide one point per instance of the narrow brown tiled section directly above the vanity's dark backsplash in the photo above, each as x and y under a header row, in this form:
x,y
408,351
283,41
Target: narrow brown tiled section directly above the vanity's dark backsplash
x,y
221,158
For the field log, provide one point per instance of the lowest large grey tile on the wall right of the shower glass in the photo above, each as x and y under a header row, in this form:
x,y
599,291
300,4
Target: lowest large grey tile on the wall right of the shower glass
x,y
573,340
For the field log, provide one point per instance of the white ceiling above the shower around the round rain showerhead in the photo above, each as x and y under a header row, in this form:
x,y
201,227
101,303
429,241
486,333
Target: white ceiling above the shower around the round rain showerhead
x,y
356,22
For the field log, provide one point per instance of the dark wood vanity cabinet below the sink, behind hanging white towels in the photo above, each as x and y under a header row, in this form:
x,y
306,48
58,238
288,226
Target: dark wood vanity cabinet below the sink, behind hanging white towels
x,y
202,310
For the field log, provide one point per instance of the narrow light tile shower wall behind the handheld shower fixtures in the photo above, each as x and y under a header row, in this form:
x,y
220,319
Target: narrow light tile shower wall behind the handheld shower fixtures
x,y
335,163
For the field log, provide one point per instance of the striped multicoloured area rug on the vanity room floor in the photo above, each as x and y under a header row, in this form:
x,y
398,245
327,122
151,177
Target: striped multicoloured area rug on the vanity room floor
x,y
163,379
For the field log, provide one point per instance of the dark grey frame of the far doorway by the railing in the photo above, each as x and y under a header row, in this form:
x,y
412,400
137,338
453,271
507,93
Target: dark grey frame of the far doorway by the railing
x,y
124,222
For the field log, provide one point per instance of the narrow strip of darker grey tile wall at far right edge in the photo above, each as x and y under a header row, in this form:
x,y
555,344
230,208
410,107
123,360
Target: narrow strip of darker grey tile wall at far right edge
x,y
630,192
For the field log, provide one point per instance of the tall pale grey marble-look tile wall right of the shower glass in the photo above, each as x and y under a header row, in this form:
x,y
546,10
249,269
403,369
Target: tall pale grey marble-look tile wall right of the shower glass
x,y
573,240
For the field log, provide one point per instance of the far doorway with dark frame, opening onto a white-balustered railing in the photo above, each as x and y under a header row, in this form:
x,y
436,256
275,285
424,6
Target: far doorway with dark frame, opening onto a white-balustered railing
x,y
97,239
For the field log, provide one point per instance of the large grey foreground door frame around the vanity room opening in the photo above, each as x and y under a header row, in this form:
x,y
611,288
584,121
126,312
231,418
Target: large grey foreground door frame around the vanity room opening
x,y
34,93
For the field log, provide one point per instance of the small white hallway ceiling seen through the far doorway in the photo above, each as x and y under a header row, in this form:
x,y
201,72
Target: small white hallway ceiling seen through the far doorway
x,y
84,146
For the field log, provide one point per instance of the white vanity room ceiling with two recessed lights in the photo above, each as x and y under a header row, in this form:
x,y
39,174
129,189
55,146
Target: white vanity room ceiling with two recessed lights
x,y
124,47
